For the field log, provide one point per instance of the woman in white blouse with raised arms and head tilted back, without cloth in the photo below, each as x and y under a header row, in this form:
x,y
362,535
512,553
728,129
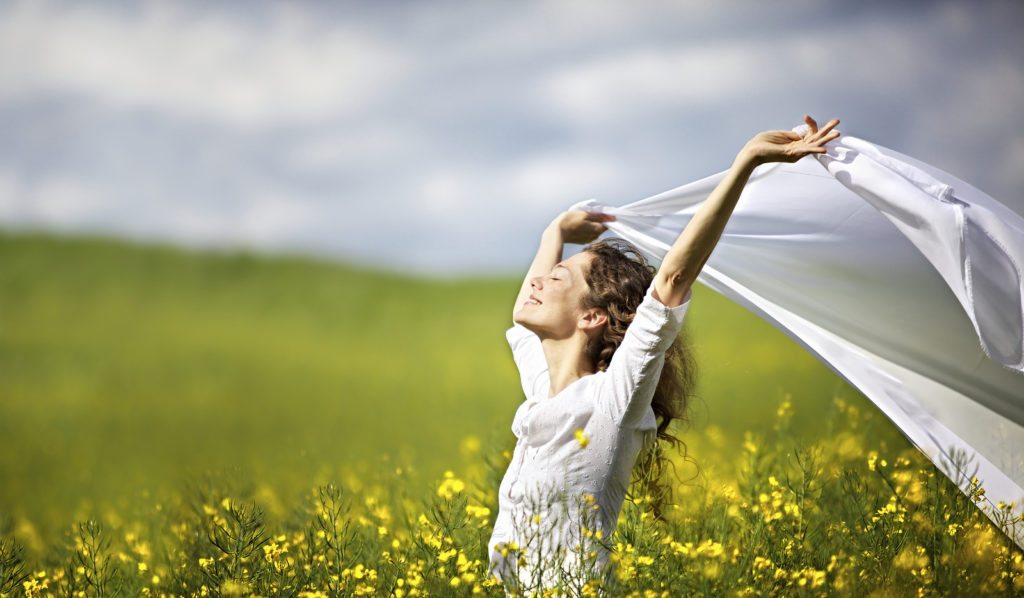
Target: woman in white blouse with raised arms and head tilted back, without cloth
x,y
590,337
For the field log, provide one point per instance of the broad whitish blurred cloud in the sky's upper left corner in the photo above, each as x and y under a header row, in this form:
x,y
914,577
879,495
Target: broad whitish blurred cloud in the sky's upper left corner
x,y
202,65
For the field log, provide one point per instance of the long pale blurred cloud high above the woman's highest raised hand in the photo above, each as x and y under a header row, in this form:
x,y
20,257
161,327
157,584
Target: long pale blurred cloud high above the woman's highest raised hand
x,y
671,78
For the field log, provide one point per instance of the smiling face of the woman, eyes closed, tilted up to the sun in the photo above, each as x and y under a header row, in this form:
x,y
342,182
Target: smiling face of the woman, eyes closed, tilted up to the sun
x,y
553,311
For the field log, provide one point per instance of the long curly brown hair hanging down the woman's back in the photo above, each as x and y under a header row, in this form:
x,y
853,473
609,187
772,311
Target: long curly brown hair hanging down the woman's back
x,y
619,277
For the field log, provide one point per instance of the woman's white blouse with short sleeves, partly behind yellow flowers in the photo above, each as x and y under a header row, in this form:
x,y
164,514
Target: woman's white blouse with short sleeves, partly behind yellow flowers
x,y
613,409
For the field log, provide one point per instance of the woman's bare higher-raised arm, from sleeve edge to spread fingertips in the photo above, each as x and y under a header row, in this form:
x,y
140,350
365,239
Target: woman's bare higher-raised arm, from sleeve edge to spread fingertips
x,y
692,249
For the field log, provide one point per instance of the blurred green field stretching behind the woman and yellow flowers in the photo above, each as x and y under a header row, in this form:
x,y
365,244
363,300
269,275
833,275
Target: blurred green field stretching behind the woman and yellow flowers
x,y
129,372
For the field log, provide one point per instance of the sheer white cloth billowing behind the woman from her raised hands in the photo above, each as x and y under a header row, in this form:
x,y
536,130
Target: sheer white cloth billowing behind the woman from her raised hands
x,y
903,279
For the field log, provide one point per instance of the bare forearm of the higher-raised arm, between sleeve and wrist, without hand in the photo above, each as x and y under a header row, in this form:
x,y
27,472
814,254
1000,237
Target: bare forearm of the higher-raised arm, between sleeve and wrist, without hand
x,y
692,249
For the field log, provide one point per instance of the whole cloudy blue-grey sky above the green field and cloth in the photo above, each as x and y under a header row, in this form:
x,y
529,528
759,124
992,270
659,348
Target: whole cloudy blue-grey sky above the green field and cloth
x,y
440,139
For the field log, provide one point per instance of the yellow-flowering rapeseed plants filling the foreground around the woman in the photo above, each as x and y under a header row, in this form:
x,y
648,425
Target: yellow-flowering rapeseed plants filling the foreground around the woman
x,y
779,519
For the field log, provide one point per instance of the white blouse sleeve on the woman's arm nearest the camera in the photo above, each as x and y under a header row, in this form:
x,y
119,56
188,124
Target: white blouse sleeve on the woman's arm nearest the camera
x,y
636,366
